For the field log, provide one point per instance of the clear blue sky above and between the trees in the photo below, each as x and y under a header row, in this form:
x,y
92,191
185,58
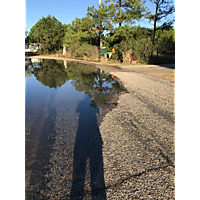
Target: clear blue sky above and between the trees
x,y
67,10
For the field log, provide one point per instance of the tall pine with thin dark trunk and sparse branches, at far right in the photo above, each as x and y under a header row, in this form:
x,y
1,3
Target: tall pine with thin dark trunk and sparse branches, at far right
x,y
163,9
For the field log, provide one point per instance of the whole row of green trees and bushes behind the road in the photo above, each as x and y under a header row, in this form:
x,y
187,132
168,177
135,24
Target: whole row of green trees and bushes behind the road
x,y
112,24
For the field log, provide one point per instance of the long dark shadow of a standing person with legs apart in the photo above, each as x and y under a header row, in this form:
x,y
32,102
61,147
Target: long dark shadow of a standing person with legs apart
x,y
88,146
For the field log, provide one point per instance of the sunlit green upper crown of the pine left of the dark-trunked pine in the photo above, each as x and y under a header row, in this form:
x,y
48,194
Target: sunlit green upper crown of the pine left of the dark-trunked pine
x,y
126,11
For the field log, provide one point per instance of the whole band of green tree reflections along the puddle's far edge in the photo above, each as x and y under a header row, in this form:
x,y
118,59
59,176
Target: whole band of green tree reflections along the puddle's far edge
x,y
84,77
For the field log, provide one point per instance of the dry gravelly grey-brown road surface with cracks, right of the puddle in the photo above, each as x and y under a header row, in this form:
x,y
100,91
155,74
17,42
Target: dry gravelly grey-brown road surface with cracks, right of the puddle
x,y
138,140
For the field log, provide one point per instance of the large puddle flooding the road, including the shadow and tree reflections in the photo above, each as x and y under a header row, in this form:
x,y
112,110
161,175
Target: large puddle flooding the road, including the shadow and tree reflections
x,y
64,104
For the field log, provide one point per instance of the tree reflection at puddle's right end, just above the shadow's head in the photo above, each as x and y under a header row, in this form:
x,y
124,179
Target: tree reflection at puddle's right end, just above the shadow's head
x,y
87,78
